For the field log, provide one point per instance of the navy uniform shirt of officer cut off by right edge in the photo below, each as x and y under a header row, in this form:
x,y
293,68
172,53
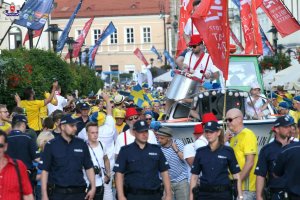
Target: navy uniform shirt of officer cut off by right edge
x,y
288,165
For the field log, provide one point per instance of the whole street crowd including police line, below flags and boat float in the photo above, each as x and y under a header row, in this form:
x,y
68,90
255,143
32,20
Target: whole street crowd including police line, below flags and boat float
x,y
108,147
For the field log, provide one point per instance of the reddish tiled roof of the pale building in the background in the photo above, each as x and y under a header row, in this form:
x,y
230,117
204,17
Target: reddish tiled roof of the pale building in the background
x,y
109,8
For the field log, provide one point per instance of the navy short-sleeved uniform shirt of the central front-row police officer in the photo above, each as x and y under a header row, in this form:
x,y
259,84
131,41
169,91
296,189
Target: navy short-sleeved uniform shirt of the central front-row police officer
x,y
141,166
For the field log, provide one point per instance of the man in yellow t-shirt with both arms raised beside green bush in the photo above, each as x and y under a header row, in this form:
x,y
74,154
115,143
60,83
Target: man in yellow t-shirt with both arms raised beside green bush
x,y
32,107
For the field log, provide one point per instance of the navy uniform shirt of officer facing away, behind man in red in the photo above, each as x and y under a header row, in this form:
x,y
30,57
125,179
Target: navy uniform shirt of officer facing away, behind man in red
x,y
22,147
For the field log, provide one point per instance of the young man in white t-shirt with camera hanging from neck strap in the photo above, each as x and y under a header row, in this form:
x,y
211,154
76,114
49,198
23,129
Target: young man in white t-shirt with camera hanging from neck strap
x,y
99,158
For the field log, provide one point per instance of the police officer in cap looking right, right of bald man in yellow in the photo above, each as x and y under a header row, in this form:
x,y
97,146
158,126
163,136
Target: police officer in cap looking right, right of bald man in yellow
x,y
266,161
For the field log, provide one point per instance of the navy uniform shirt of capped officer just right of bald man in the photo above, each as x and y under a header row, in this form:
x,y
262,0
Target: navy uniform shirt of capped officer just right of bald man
x,y
266,163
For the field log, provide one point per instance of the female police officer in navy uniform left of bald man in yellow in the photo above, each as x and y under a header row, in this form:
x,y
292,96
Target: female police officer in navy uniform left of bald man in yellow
x,y
213,161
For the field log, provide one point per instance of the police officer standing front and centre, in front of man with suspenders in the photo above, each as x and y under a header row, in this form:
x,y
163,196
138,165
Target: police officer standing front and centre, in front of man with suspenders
x,y
137,168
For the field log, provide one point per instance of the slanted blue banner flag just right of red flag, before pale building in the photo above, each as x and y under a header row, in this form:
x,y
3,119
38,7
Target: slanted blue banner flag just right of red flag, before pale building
x,y
93,50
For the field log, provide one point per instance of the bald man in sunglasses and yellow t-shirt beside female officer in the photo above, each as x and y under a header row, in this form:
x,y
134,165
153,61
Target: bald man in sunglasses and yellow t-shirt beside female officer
x,y
244,144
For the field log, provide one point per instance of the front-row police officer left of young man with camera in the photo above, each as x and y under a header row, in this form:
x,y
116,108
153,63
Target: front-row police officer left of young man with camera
x,y
62,162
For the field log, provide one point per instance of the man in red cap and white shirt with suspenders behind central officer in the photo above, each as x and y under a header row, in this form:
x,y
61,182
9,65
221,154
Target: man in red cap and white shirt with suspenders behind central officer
x,y
128,137
